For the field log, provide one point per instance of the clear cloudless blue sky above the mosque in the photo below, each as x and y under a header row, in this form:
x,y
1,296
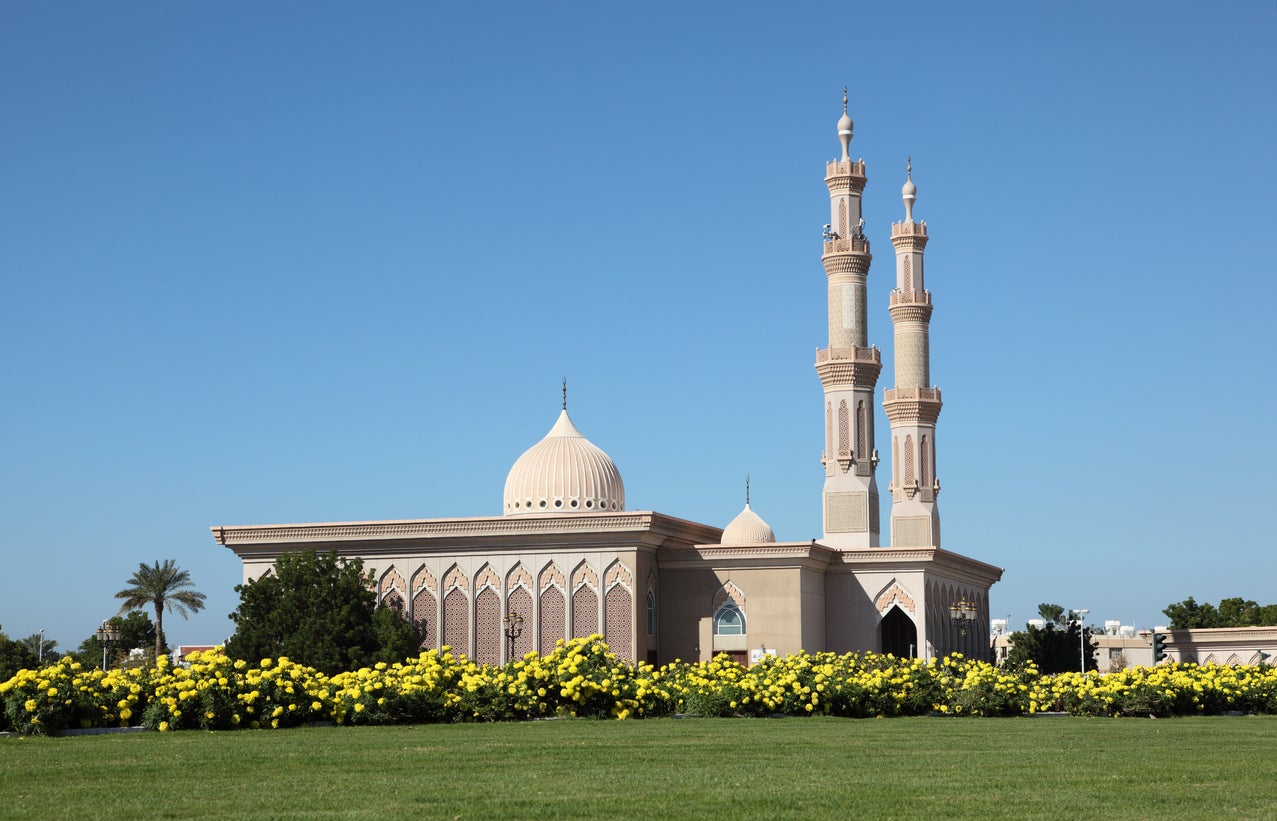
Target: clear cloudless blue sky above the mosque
x,y
311,262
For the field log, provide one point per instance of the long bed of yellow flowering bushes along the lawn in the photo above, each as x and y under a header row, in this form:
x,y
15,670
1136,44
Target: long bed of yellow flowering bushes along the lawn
x,y
584,679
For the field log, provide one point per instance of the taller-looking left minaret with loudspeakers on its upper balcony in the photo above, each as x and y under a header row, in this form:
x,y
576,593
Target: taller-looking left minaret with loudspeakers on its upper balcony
x,y
849,368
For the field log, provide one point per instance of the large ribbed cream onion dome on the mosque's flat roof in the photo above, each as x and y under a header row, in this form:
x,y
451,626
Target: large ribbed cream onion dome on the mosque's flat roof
x,y
564,473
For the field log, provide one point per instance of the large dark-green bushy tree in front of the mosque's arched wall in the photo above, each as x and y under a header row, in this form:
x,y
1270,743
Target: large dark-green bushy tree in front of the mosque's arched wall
x,y
317,610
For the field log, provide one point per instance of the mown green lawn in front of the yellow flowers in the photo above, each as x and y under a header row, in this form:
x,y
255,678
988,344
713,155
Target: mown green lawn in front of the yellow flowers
x,y
656,769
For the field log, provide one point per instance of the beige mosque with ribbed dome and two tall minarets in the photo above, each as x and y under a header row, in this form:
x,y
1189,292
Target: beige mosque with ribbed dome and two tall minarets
x,y
566,559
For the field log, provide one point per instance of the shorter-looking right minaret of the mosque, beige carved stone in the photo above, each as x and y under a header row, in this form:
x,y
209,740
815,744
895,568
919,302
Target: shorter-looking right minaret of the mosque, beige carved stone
x,y
912,405
